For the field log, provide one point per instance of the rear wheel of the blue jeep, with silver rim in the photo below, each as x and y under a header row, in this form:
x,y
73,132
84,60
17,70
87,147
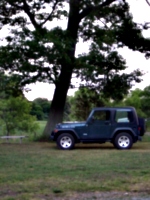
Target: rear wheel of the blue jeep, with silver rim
x,y
123,141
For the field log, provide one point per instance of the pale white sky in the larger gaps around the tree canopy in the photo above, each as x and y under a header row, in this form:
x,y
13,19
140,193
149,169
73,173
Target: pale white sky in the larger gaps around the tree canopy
x,y
141,13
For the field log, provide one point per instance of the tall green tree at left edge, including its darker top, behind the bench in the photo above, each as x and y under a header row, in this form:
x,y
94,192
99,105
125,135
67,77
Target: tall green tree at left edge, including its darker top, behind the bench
x,y
14,107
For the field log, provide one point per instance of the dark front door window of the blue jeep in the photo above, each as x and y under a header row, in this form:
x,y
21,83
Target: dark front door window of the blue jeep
x,y
101,115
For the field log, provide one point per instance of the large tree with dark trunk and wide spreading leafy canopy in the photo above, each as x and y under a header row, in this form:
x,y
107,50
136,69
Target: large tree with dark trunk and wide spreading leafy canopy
x,y
39,52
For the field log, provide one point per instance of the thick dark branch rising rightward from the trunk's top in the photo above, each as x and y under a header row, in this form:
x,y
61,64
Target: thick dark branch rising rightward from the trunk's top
x,y
90,9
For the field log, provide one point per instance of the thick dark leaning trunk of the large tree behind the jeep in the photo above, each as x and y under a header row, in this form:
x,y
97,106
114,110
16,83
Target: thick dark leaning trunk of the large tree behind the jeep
x,y
62,85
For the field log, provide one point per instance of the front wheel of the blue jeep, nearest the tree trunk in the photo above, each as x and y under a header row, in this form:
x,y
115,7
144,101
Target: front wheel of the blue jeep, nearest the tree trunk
x,y
65,141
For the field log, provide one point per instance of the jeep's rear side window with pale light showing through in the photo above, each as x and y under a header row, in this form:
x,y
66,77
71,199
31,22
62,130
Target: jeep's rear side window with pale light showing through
x,y
124,116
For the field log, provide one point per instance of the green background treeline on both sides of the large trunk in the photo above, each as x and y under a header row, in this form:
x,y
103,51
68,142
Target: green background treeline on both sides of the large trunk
x,y
17,114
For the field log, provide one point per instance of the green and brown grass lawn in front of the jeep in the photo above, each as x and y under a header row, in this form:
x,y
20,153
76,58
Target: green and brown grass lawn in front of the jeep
x,y
40,171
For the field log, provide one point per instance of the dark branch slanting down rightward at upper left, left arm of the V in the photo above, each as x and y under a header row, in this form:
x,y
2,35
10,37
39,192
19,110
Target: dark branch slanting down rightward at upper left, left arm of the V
x,y
30,15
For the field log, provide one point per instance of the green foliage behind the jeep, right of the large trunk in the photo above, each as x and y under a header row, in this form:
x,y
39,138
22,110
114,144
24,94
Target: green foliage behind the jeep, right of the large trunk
x,y
79,106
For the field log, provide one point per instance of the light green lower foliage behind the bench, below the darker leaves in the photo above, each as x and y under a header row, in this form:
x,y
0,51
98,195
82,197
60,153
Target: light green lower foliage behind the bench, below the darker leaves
x,y
15,117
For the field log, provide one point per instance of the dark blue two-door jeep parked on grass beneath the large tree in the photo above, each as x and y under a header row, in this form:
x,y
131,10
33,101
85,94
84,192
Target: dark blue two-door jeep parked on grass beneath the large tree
x,y
118,125
